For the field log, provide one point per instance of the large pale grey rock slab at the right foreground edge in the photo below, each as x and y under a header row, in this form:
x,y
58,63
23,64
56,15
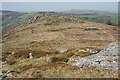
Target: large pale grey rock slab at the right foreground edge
x,y
107,58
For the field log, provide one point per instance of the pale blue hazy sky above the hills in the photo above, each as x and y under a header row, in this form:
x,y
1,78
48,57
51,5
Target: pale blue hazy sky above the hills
x,y
59,6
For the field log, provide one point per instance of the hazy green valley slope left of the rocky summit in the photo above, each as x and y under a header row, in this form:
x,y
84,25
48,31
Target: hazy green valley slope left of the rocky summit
x,y
12,18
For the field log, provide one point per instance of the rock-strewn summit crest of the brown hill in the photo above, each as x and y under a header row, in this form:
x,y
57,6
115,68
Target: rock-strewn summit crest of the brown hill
x,y
55,18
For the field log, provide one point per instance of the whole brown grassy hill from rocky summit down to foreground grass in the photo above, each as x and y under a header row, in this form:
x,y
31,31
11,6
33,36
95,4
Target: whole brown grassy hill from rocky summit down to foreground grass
x,y
45,35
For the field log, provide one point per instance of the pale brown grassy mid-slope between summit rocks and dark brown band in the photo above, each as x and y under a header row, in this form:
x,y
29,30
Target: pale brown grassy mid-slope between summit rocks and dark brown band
x,y
64,35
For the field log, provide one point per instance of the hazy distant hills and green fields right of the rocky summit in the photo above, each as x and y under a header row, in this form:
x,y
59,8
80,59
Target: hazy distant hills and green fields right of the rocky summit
x,y
94,15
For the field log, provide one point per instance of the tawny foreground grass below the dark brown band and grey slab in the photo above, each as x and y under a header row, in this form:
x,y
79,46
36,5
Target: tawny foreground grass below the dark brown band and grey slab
x,y
39,68
